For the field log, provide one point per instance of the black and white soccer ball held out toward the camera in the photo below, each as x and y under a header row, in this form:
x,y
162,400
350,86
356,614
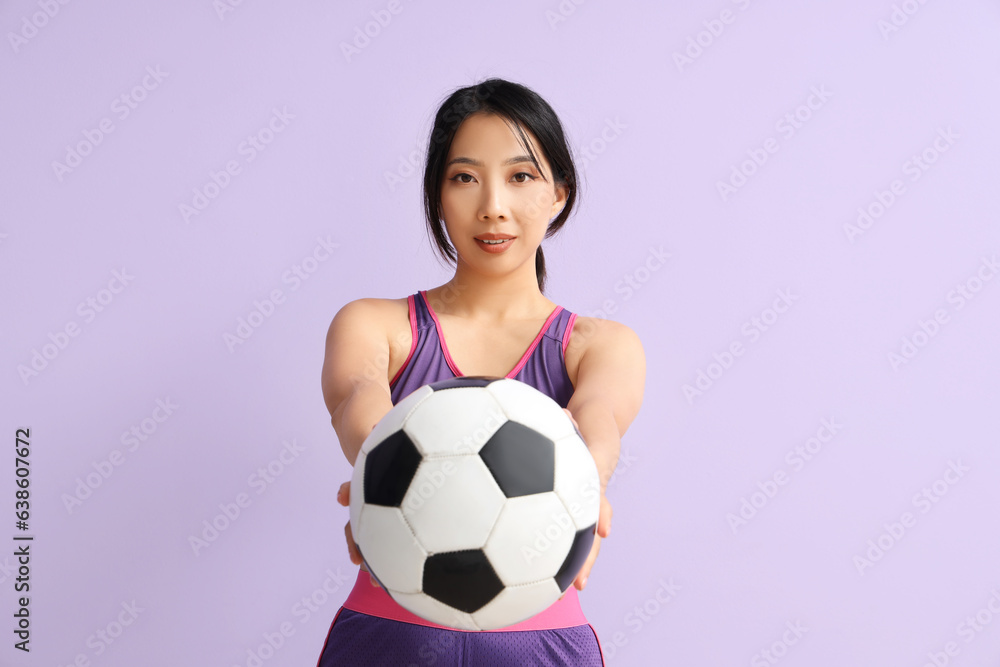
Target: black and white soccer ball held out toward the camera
x,y
474,502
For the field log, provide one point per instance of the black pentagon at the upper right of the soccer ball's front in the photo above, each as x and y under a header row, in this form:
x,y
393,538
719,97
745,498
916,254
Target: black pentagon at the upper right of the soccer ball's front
x,y
522,460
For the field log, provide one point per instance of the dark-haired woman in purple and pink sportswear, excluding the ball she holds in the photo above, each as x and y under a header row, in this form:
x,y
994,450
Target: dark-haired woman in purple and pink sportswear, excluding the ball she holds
x,y
500,176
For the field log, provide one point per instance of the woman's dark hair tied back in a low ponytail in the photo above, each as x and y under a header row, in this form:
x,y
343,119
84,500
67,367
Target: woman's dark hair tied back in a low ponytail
x,y
523,109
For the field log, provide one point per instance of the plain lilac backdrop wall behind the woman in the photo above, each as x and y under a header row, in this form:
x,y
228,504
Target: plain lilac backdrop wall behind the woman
x,y
670,133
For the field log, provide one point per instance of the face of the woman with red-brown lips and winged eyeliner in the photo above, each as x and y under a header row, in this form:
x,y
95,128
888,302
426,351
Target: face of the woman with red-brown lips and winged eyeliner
x,y
491,187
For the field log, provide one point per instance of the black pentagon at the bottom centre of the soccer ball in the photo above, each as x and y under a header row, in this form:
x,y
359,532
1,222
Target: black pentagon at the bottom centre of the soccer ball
x,y
464,580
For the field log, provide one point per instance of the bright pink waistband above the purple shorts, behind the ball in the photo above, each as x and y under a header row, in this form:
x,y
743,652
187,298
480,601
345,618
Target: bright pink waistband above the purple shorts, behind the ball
x,y
367,598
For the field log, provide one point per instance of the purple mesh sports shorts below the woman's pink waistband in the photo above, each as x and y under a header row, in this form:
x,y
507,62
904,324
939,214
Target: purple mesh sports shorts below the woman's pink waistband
x,y
357,639
